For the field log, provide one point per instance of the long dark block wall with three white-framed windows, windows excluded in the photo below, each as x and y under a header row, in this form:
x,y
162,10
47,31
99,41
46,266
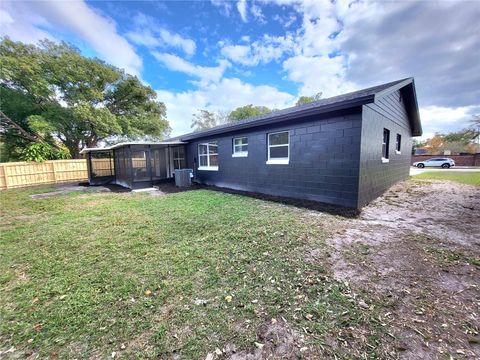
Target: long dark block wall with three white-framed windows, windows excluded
x,y
324,160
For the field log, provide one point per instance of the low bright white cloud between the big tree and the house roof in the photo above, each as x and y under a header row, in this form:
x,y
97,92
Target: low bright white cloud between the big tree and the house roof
x,y
224,95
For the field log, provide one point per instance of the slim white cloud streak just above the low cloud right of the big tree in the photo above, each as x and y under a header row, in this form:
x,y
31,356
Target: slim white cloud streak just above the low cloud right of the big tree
x,y
204,73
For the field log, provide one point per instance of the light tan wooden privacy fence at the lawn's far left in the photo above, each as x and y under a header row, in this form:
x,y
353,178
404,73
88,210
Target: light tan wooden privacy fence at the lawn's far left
x,y
20,174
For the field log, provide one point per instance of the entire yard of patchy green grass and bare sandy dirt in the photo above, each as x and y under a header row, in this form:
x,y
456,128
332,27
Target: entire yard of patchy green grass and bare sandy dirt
x,y
201,272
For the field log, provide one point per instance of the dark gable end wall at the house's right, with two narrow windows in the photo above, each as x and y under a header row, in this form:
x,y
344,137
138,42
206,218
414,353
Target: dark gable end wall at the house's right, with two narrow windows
x,y
375,176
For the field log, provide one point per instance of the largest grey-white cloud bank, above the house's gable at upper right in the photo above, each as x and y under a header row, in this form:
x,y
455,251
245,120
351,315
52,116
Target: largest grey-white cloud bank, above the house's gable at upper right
x,y
343,46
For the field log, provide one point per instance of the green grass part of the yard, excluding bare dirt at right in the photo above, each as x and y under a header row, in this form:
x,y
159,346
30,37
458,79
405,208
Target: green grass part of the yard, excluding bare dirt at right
x,y
82,274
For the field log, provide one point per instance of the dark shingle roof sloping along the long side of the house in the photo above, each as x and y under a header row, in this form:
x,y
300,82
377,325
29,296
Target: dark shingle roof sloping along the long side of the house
x,y
343,101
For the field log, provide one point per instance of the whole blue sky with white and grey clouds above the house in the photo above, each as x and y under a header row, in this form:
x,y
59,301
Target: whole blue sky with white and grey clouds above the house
x,y
218,55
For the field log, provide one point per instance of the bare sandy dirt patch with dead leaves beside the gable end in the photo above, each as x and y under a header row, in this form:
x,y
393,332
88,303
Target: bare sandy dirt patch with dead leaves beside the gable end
x,y
418,248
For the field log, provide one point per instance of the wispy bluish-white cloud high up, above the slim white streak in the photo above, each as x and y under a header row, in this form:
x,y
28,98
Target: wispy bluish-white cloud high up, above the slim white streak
x,y
148,33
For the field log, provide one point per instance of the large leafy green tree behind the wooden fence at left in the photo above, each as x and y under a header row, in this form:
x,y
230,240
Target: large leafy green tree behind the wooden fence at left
x,y
51,94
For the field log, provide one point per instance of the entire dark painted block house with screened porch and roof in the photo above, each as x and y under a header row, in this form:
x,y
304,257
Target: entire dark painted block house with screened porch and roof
x,y
345,150
